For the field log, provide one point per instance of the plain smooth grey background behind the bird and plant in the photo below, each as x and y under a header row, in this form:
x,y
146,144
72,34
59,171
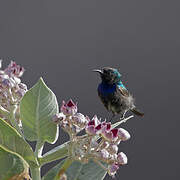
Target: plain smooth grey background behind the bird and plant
x,y
64,40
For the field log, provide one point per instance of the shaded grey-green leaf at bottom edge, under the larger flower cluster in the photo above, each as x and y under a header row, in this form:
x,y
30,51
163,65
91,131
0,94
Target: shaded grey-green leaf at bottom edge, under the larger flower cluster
x,y
78,171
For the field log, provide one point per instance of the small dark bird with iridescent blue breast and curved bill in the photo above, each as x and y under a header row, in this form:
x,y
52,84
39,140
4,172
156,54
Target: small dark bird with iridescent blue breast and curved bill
x,y
114,95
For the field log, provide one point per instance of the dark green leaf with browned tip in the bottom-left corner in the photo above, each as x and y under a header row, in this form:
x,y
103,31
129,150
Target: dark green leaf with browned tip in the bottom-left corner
x,y
11,165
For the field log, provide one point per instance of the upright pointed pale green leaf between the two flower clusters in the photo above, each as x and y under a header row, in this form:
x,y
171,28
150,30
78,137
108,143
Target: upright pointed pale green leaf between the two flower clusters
x,y
37,108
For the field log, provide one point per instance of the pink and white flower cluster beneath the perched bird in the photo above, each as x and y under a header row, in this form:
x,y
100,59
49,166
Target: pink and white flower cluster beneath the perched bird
x,y
100,142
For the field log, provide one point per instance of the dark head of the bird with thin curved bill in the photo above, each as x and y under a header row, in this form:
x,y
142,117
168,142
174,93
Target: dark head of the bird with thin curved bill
x,y
109,75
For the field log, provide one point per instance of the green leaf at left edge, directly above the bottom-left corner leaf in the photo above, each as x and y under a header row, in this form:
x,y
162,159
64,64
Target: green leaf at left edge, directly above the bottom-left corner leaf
x,y
13,141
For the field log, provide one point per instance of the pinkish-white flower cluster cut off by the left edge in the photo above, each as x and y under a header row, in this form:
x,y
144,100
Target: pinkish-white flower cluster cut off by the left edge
x,y
11,88
